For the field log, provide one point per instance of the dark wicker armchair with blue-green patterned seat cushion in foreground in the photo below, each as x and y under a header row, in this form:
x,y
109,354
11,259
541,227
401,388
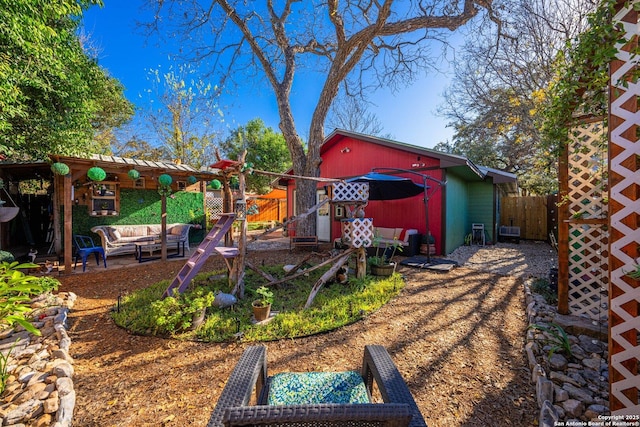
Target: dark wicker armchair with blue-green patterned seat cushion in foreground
x,y
316,398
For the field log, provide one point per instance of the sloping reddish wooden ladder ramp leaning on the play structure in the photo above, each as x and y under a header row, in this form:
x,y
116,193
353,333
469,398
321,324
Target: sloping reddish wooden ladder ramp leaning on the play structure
x,y
200,255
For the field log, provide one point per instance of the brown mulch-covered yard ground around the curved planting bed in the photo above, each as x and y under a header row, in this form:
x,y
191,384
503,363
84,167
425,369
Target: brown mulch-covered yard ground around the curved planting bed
x,y
456,337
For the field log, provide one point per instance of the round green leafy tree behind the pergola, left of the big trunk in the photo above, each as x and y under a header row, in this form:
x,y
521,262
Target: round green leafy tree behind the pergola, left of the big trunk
x,y
266,150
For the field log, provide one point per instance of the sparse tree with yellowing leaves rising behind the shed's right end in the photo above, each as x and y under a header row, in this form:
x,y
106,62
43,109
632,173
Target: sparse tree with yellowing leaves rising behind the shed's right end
x,y
496,99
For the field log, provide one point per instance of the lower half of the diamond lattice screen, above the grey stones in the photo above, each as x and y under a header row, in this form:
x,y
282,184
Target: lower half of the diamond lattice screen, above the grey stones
x,y
588,277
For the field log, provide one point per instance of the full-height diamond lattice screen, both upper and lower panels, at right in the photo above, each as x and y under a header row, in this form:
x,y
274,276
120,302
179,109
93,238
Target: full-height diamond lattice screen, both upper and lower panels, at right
x,y
588,235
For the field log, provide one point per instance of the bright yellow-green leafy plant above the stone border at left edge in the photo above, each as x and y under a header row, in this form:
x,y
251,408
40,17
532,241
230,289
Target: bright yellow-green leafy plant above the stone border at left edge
x,y
16,289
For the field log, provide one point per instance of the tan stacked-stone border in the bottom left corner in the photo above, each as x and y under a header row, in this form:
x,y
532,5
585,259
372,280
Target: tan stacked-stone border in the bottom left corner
x,y
39,389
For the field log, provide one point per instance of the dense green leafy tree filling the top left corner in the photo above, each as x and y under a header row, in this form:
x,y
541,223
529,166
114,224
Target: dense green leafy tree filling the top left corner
x,y
53,97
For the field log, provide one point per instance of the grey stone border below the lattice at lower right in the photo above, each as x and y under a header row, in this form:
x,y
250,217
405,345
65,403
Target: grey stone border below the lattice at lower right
x,y
569,390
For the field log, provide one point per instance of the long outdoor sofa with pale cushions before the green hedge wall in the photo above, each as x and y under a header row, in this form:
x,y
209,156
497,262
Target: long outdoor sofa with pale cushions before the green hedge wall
x,y
121,239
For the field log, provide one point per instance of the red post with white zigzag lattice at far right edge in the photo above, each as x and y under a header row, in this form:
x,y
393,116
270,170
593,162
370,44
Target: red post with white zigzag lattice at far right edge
x,y
624,178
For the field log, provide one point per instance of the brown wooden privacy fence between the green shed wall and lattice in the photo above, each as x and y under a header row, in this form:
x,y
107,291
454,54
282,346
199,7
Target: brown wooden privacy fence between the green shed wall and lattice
x,y
532,214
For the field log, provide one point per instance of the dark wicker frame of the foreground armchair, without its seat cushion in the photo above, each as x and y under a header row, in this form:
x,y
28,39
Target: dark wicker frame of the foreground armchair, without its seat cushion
x,y
250,376
